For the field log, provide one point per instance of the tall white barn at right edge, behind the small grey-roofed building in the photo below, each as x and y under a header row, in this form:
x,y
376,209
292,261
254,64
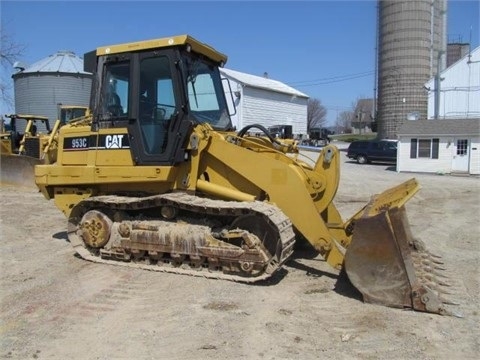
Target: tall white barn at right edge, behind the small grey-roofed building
x,y
459,89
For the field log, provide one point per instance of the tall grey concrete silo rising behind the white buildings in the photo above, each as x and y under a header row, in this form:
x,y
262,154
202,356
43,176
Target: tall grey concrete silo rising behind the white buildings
x,y
411,50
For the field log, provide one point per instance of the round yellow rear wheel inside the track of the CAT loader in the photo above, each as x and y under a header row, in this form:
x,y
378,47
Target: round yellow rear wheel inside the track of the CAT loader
x,y
95,228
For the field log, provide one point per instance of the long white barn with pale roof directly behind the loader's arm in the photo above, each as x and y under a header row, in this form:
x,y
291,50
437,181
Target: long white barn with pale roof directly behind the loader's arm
x,y
259,100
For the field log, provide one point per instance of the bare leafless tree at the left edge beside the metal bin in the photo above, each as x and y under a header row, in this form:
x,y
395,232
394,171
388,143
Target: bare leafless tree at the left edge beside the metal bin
x,y
10,51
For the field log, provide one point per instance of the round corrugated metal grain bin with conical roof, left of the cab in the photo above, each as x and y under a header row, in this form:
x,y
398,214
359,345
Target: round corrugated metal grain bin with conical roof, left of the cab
x,y
57,79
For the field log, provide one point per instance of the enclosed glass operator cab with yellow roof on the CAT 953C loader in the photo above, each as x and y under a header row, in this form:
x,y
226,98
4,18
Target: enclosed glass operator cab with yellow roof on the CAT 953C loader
x,y
158,93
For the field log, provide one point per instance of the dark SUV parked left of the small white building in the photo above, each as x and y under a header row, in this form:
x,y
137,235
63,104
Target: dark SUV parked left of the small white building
x,y
374,150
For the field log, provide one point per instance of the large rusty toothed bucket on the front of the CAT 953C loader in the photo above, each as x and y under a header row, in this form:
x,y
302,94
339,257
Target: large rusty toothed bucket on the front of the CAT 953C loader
x,y
385,263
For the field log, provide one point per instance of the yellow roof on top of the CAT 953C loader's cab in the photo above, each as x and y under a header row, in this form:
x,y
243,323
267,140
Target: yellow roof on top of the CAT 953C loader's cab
x,y
178,40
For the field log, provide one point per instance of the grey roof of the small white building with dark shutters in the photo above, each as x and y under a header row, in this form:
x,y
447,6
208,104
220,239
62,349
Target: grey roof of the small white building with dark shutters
x,y
440,127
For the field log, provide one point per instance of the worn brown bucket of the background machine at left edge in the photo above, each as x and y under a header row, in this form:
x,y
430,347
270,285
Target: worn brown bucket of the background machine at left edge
x,y
18,170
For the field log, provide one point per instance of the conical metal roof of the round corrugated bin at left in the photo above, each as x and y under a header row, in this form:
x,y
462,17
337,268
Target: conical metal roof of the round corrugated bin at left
x,y
63,61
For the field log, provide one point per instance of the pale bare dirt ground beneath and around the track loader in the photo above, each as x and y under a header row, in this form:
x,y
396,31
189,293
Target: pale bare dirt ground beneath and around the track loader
x,y
55,305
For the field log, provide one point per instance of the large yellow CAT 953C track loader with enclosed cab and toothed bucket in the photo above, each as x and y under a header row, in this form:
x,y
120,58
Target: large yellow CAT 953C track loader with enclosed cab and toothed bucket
x,y
157,178
